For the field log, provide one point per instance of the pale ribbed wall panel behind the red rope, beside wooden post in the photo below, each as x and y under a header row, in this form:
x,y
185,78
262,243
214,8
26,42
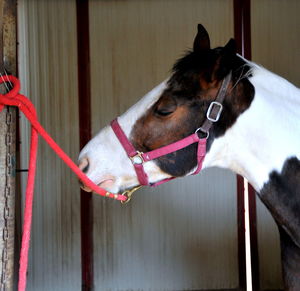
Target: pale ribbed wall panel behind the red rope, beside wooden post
x,y
48,73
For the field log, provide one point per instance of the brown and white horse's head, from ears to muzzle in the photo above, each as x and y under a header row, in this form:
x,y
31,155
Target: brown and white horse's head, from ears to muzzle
x,y
172,111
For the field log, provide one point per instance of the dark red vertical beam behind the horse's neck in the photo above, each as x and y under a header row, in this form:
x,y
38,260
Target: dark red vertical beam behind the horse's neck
x,y
242,35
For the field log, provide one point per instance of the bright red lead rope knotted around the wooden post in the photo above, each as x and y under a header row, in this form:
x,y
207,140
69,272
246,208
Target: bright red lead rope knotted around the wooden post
x,y
13,98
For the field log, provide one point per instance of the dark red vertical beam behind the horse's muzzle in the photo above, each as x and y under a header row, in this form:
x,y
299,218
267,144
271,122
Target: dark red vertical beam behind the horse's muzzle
x,y
84,99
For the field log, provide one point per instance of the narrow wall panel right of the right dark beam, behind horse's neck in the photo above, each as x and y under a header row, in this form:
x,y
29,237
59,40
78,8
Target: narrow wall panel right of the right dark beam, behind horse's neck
x,y
275,45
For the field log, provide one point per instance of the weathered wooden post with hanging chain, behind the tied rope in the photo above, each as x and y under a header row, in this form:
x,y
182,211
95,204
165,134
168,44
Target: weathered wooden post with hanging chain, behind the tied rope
x,y
7,146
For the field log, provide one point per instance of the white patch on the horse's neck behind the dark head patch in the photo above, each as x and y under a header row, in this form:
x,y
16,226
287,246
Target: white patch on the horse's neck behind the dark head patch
x,y
265,135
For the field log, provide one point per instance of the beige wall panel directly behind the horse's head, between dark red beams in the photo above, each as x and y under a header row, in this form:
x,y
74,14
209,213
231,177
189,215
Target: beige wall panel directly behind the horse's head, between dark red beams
x,y
183,235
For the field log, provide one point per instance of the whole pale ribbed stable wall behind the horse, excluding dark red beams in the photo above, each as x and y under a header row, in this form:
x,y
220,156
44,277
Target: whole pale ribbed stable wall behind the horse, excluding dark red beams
x,y
182,235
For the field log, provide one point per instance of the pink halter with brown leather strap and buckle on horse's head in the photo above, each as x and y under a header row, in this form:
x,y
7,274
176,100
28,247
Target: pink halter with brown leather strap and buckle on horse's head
x,y
139,158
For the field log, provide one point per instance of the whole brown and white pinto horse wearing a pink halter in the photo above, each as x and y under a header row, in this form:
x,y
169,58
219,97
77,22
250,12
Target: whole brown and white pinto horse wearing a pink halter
x,y
216,109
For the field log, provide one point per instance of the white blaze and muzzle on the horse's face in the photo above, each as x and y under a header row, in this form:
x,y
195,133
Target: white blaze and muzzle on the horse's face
x,y
109,165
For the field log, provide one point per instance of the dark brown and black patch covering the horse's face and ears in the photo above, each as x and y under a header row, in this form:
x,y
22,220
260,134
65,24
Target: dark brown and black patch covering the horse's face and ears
x,y
182,107
